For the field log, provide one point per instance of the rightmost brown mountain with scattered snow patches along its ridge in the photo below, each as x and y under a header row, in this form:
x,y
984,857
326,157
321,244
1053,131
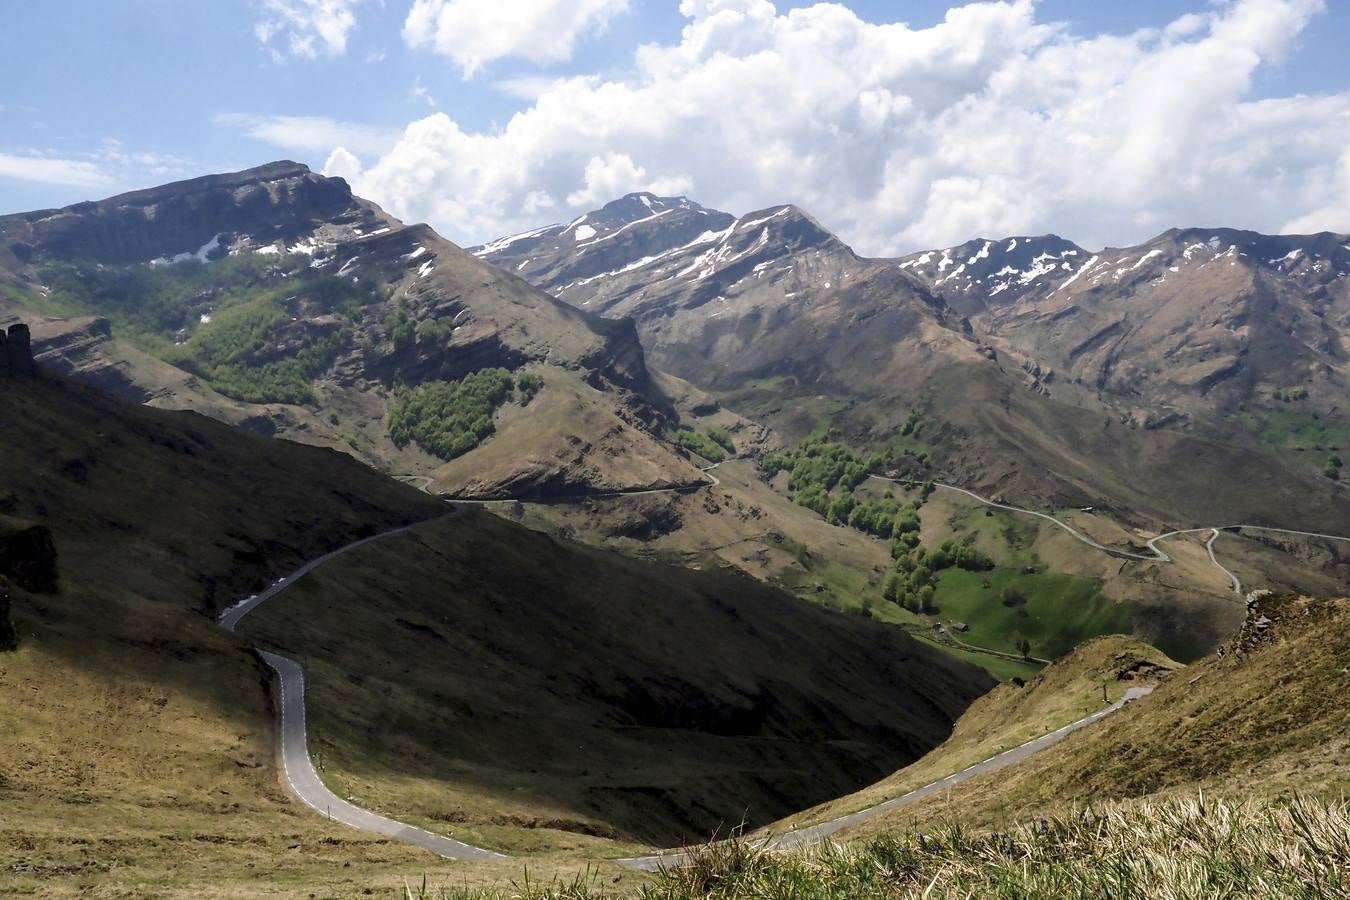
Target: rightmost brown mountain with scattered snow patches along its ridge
x,y
1190,326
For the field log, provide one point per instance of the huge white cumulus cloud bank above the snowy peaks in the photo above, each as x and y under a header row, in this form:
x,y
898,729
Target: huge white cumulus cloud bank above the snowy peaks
x,y
992,122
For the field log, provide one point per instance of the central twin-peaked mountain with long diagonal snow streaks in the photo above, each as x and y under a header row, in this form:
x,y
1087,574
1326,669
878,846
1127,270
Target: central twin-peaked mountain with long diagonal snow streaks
x,y
720,299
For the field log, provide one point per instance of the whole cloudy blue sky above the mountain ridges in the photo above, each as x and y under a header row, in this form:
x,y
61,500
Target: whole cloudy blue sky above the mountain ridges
x,y
111,95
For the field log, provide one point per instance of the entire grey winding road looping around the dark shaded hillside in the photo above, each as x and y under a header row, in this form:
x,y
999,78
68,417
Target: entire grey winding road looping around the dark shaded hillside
x,y
306,785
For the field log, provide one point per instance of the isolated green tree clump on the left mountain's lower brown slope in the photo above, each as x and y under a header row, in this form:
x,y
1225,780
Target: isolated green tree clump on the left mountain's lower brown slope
x,y
450,419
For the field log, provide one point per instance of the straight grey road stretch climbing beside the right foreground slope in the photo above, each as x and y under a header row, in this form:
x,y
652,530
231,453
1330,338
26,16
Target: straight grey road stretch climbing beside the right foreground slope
x,y
817,833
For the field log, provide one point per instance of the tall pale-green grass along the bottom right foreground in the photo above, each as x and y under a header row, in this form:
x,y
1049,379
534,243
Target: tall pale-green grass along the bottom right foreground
x,y
1166,851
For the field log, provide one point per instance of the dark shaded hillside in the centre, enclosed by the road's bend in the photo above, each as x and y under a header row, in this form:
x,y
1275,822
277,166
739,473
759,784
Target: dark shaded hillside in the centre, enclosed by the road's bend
x,y
538,696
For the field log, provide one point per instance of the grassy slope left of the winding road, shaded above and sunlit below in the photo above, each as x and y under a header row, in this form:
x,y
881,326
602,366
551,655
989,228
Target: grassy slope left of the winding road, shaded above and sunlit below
x,y
136,737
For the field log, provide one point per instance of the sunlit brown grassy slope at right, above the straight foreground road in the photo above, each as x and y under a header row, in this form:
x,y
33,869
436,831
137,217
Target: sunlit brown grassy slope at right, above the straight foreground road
x,y
1267,717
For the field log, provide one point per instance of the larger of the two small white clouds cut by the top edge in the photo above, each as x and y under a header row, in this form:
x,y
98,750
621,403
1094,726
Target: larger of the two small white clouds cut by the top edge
x,y
475,33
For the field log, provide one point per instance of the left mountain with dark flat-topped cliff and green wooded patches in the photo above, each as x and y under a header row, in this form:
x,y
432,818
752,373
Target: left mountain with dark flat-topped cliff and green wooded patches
x,y
277,300
